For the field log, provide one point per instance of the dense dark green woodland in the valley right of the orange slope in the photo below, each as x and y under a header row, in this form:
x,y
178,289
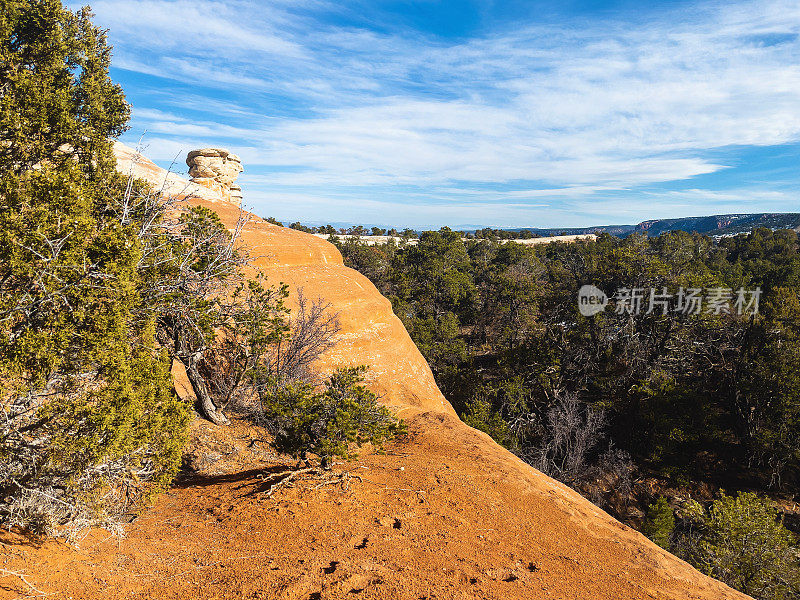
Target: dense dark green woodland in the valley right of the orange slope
x,y
618,406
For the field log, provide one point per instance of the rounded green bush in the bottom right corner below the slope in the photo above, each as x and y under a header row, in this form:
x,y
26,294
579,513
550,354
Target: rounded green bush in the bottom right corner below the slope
x,y
745,545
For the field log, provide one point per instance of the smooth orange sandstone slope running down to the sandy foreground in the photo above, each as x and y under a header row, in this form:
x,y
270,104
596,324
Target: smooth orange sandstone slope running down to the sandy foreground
x,y
447,513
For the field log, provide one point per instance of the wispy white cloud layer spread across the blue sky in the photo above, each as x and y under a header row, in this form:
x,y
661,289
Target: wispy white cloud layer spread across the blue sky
x,y
577,111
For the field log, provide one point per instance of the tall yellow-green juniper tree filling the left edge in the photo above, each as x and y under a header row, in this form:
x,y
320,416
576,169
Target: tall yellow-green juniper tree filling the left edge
x,y
90,424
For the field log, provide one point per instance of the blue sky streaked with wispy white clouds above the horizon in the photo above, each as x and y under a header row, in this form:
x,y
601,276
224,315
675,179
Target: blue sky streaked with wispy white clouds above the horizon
x,y
503,113
